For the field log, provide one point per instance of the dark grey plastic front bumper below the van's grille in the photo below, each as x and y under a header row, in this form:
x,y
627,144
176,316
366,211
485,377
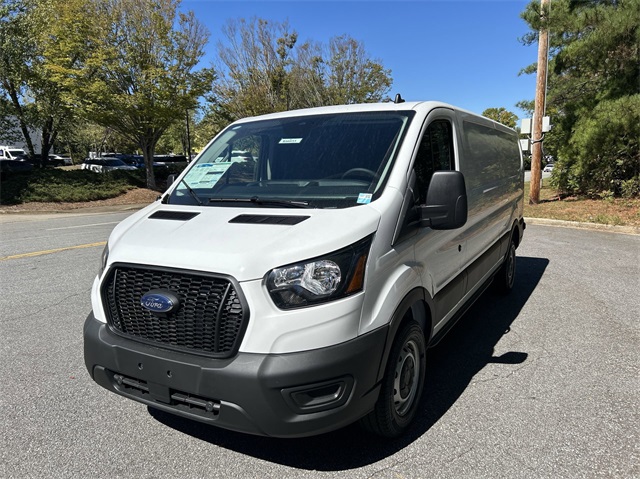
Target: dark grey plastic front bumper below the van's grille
x,y
282,395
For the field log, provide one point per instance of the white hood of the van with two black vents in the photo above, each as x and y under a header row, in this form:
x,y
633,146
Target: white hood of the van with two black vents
x,y
245,243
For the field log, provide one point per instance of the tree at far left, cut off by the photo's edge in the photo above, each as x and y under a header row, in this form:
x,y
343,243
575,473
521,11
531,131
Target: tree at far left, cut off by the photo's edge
x,y
32,37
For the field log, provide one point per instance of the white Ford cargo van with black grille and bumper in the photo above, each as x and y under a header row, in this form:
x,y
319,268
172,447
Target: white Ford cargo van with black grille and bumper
x,y
295,289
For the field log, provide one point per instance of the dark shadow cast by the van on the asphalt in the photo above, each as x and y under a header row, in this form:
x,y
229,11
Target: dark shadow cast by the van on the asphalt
x,y
451,366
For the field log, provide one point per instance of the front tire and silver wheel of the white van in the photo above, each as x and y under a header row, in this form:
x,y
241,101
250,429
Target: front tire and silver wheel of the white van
x,y
402,384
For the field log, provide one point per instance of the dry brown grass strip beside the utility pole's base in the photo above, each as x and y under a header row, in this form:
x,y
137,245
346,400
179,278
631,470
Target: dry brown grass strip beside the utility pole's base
x,y
609,211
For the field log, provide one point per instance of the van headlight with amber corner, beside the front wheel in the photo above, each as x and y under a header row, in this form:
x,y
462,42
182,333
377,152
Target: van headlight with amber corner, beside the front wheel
x,y
317,280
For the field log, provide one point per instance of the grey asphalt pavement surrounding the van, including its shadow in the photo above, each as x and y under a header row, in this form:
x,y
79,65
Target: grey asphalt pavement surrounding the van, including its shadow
x,y
543,383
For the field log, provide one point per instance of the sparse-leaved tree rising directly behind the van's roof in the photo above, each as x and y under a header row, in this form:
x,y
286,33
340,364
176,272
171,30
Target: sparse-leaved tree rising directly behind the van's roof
x,y
263,69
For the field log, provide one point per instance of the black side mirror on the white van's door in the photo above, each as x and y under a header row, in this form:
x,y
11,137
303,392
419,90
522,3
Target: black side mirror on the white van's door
x,y
446,206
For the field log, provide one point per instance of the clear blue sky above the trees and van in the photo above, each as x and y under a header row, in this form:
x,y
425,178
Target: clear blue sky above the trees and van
x,y
463,52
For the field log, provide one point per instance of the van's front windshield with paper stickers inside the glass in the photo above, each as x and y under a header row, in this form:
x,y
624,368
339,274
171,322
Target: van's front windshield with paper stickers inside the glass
x,y
320,161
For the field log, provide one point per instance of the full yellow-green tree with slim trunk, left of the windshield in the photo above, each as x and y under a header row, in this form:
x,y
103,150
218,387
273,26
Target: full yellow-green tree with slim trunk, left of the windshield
x,y
140,77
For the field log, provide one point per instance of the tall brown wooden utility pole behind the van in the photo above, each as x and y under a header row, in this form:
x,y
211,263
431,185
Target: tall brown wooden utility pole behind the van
x,y
541,94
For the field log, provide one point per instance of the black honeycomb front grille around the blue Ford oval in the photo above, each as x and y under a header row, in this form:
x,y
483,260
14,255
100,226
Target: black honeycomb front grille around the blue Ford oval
x,y
210,319
